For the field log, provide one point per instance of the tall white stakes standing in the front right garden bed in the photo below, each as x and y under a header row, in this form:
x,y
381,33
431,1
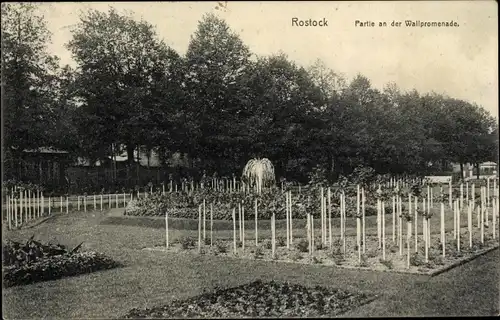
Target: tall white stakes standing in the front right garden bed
x,y
457,206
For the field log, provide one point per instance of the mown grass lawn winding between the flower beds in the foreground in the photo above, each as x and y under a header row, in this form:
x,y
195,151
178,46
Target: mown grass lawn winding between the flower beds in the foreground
x,y
155,278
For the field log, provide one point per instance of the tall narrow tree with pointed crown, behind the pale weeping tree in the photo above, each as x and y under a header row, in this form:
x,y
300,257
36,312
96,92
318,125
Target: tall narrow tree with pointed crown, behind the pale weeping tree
x,y
216,64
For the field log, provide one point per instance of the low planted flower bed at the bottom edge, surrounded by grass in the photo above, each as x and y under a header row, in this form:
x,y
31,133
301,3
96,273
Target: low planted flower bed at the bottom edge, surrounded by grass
x,y
259,299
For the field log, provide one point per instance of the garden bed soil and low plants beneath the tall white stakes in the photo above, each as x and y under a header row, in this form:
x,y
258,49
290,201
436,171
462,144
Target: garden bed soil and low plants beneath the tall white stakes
x,y
371,259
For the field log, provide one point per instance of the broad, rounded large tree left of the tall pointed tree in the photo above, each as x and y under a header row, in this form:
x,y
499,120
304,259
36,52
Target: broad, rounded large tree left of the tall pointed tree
x,y
128,81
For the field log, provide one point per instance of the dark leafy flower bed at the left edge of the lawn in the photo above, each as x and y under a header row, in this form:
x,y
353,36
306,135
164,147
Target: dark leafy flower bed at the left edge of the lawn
x,y
34,261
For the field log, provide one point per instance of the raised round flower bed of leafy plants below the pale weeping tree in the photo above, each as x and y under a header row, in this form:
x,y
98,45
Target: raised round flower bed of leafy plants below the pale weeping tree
x,y
184,205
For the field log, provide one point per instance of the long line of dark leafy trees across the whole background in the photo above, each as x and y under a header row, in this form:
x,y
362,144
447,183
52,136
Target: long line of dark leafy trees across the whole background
x,y
219,103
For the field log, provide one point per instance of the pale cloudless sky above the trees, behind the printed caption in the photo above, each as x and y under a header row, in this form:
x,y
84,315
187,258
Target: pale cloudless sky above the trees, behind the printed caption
x,y
461,62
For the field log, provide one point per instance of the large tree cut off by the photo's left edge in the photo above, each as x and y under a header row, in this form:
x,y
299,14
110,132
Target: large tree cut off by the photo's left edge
x,y
28,80
